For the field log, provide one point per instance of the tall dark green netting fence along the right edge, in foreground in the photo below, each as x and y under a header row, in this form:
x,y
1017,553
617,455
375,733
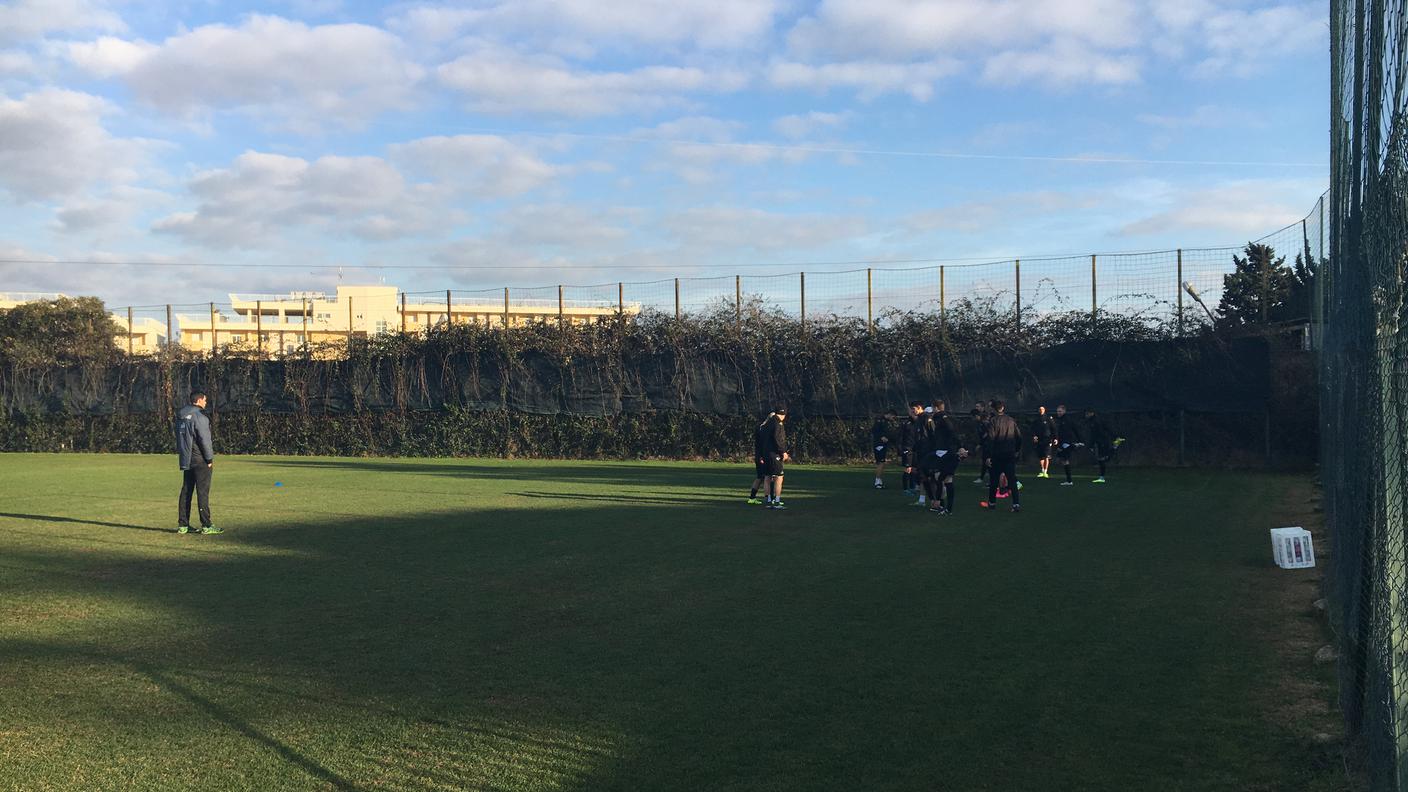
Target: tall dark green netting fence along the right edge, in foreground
x,y
1365,378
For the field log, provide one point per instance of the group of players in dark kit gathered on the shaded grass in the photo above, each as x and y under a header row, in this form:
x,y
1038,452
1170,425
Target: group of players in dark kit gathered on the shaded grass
x,y
931,450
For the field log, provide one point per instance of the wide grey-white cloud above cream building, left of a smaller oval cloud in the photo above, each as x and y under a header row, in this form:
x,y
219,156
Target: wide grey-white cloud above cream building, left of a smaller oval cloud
x,y
265,197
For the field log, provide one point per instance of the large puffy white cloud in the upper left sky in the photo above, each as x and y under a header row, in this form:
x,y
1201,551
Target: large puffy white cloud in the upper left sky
x,y
282,71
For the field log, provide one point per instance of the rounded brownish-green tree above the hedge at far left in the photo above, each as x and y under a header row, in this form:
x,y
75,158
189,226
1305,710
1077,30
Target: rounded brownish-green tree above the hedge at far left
x,y
67,330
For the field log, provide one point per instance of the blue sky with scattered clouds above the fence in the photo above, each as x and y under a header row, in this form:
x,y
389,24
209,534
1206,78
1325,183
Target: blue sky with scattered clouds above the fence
x,y
288,146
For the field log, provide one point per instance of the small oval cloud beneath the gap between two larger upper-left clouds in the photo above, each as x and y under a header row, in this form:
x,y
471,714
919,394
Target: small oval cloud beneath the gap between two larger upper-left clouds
x,y
484,166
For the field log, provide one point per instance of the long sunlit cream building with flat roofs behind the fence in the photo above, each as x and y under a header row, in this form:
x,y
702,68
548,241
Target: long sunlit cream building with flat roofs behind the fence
x,y
285,322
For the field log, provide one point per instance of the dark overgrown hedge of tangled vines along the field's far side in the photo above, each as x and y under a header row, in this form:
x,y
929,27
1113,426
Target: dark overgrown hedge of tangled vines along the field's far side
x,y
653,387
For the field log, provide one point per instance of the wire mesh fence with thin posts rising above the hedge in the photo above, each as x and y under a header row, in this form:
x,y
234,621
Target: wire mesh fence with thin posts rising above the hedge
x,y
1176,291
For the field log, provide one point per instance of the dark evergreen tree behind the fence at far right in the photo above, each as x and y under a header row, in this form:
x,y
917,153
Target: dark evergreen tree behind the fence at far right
x,y
1264,290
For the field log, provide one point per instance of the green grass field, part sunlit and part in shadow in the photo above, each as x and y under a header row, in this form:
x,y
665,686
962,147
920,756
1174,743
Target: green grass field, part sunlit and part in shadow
x,y
489,625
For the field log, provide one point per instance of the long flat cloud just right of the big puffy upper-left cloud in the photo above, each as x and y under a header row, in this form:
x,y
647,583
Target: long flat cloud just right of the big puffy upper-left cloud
x,y
498,81
